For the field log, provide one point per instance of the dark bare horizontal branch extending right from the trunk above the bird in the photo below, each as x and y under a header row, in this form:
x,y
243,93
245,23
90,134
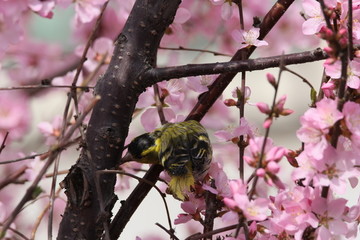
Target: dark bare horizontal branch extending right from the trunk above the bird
x,y
160,74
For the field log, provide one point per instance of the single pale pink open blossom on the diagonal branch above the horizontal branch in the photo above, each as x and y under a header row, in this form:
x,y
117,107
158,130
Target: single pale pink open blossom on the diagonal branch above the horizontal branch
x,y
249,38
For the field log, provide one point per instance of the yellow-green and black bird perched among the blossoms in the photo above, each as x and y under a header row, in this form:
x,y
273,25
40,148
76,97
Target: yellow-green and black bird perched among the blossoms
x,y
183,149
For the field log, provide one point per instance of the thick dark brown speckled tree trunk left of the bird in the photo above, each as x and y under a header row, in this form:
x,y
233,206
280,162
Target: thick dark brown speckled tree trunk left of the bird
x,y
91,198
